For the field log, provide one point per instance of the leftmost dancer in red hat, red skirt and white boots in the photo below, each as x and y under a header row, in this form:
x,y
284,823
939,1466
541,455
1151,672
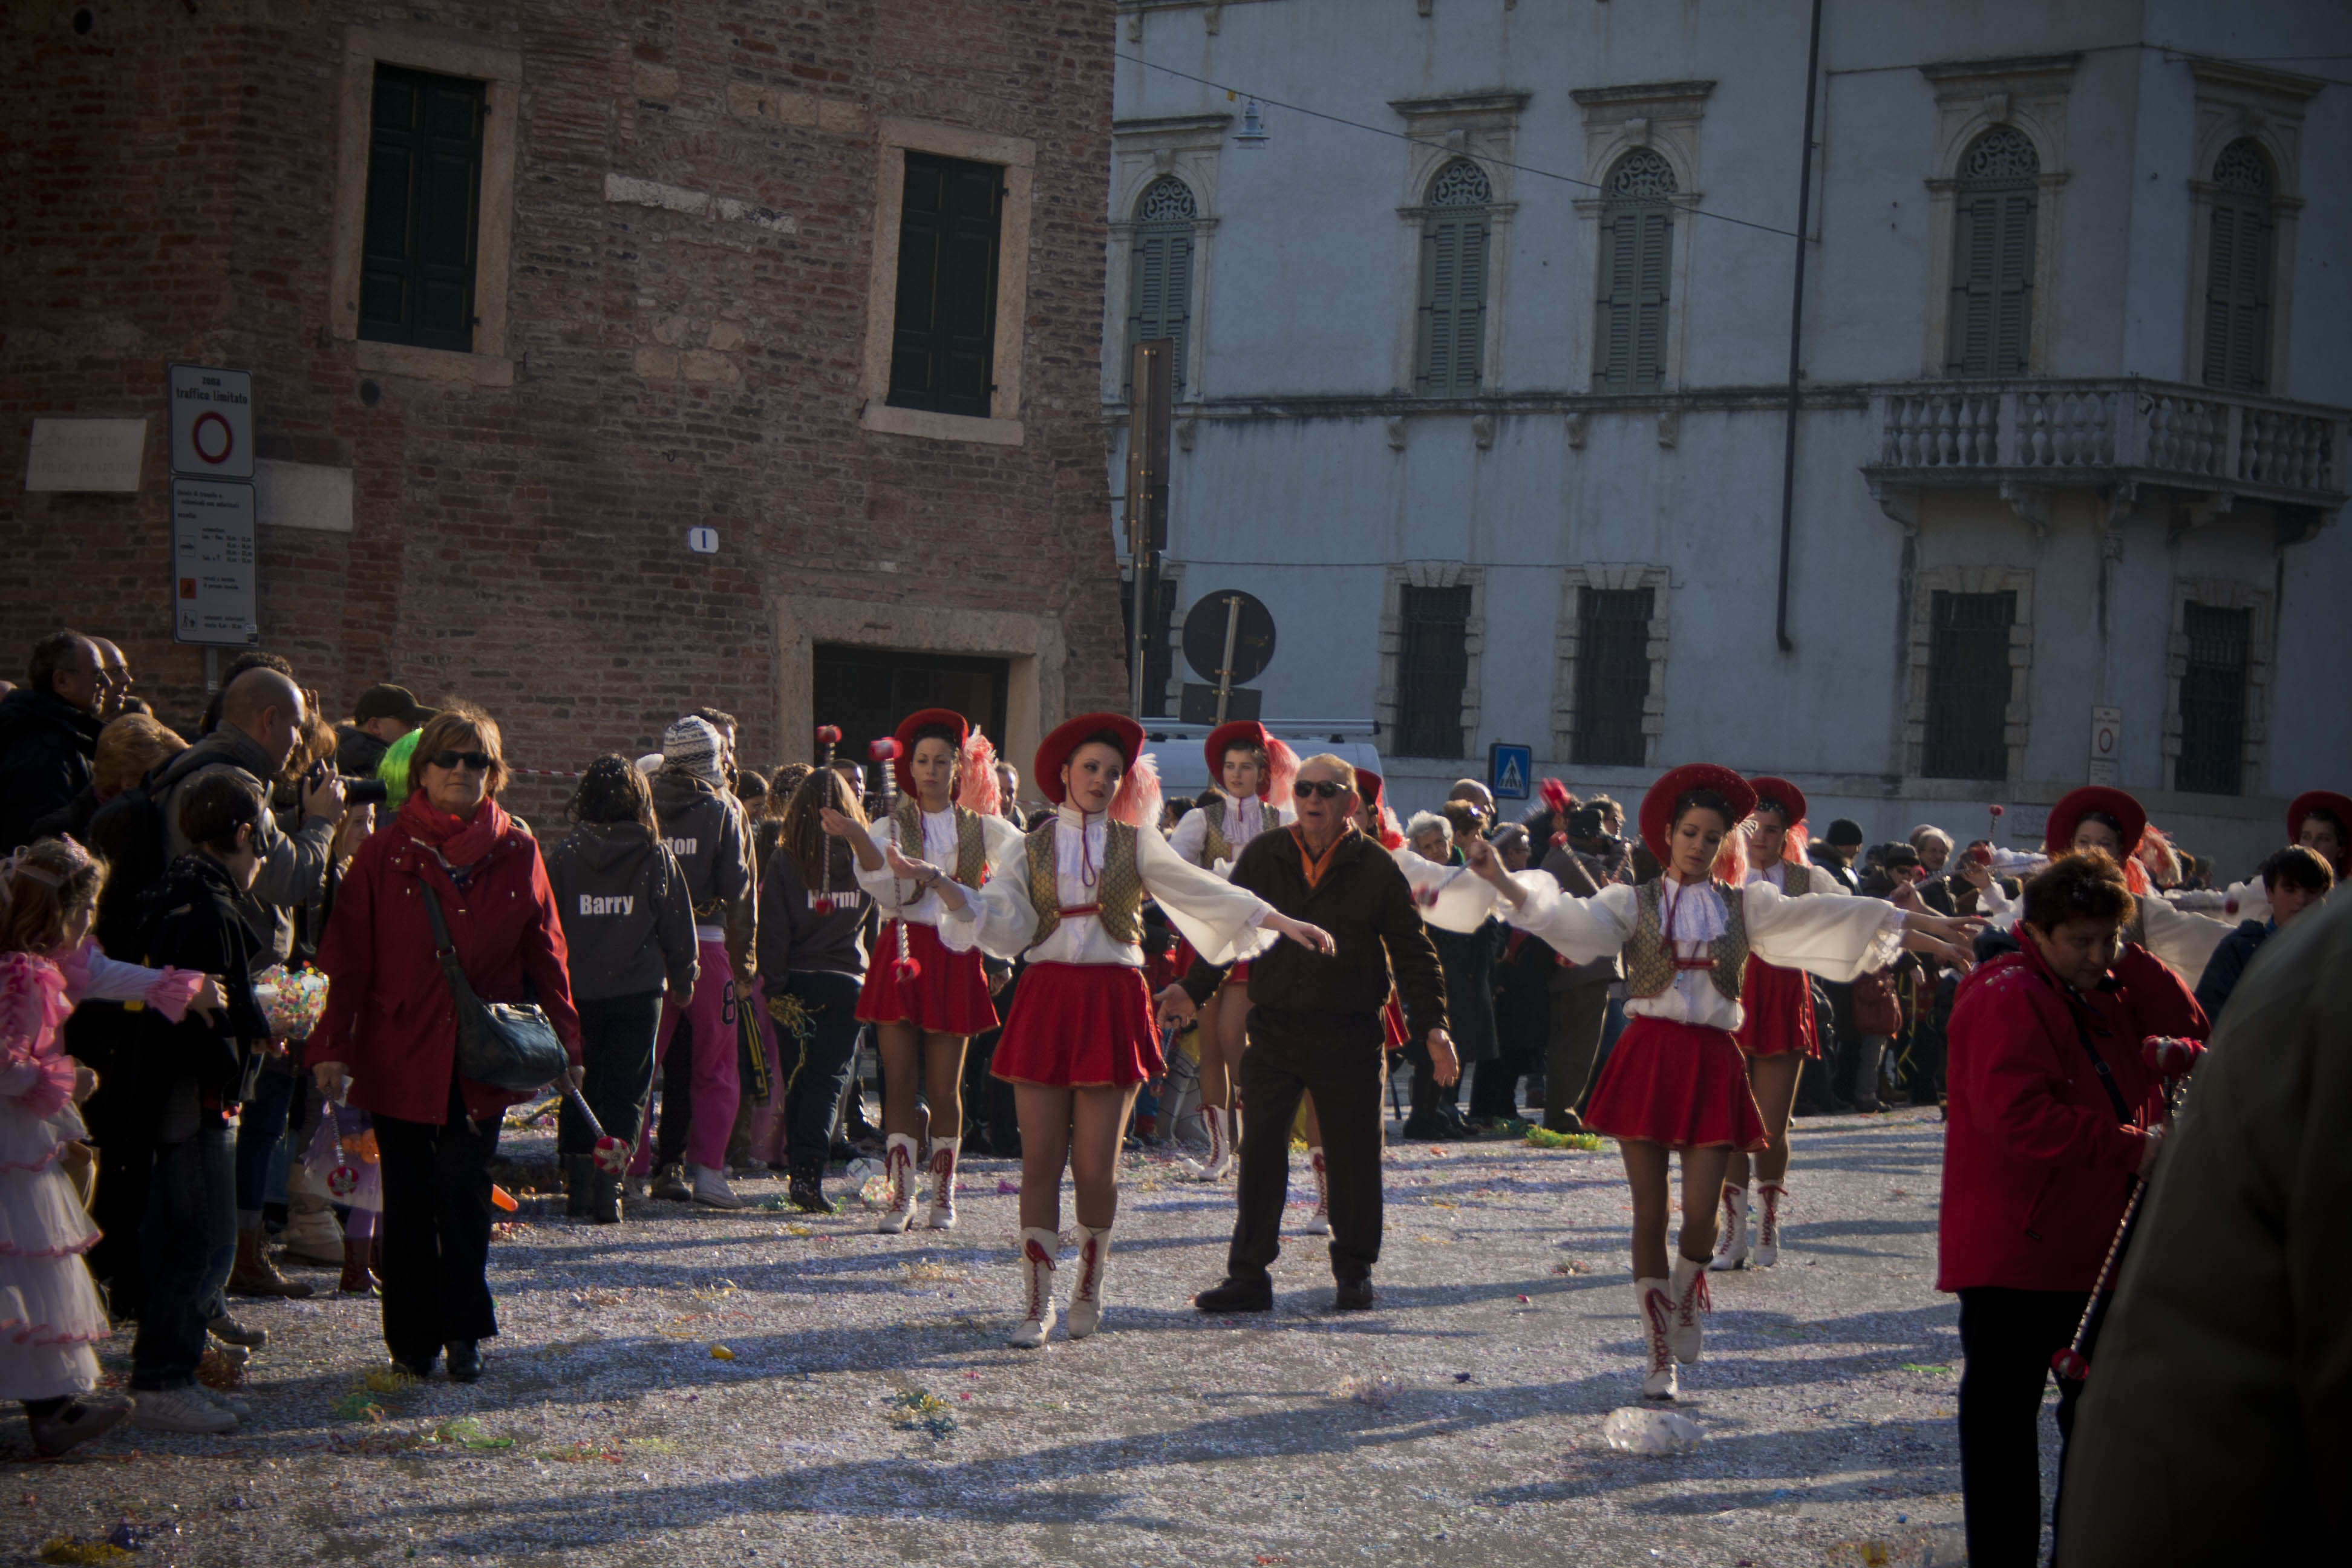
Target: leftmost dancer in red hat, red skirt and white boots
x,y
926,1014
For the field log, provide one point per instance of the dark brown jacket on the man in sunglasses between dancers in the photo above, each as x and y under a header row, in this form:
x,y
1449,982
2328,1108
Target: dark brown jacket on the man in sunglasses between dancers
x,y
1368,909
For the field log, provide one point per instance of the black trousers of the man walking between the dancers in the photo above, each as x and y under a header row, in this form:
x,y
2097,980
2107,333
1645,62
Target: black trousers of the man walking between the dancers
x,y
1337,1057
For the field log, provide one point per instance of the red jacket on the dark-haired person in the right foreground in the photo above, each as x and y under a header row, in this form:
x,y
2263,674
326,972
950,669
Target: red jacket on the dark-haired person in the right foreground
x,y
2036,1165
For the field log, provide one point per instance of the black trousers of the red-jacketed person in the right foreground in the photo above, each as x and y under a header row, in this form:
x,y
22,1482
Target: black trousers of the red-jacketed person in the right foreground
x,y
2010,1339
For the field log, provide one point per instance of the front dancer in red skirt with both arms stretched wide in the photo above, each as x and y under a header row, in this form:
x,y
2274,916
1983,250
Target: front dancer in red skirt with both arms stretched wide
x,y
1676,1080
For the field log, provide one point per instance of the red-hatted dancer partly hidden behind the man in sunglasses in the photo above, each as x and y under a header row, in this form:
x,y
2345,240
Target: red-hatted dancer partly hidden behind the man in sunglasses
x,y
1252,791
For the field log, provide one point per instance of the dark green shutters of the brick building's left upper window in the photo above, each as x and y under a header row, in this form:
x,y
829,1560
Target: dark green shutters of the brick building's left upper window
x,y
425,206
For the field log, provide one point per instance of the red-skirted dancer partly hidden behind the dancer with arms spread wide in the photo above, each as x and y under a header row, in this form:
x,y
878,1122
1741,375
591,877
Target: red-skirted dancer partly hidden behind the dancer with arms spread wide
x,y
1777,1028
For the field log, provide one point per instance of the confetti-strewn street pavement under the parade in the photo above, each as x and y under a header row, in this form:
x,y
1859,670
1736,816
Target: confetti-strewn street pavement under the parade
x,y
867,1409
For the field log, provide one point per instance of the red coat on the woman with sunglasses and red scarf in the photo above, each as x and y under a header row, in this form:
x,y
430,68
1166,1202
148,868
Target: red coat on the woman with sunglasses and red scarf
x,y
389,1012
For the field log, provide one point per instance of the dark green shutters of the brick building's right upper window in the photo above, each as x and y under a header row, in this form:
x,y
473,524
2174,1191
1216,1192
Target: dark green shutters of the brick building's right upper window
x,y
947,316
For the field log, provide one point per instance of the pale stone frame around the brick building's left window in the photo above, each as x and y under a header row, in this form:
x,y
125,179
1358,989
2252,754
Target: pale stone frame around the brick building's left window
x,y
356,100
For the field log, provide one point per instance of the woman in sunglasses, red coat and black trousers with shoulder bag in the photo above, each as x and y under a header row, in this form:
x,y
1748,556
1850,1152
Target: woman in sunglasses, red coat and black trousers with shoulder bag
x,y
392,1026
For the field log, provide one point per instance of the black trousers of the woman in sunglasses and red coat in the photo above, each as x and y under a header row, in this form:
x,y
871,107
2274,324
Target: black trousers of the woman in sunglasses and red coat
x,y
436,1233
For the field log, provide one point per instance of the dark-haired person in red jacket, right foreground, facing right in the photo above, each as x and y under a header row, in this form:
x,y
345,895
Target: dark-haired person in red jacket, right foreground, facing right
x,y
2052,1118
